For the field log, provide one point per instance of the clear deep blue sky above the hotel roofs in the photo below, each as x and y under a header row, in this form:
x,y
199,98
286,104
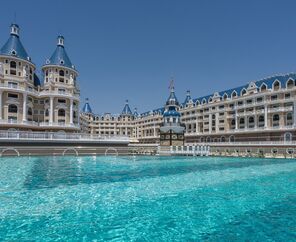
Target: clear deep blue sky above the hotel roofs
x,y
131,49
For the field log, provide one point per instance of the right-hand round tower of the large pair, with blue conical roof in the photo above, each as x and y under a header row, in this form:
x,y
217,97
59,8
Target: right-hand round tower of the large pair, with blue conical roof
x,y
61,91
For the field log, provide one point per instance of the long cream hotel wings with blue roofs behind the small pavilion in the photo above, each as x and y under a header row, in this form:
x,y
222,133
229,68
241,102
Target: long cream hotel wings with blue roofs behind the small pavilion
x,y
263,110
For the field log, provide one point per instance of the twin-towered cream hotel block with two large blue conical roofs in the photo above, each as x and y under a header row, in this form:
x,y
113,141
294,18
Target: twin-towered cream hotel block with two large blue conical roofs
x,y
26,103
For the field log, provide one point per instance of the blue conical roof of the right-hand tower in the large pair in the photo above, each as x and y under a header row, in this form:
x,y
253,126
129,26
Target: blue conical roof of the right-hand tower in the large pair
x,y
60,56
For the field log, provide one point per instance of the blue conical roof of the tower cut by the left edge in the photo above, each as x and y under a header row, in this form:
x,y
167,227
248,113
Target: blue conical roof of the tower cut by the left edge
x,y
13,46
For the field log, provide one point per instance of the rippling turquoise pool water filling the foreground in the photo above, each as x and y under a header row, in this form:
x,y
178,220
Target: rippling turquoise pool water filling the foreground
x,y
147,199
